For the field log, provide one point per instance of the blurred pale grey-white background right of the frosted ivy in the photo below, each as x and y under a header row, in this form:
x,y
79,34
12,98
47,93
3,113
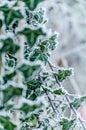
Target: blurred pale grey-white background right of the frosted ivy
x,y
68,18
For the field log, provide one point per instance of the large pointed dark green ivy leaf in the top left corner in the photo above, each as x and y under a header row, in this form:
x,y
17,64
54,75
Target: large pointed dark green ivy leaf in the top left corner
x,y
10,14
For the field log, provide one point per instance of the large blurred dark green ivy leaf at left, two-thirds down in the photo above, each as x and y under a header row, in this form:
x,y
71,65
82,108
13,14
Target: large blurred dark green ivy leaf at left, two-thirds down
x,y
11,92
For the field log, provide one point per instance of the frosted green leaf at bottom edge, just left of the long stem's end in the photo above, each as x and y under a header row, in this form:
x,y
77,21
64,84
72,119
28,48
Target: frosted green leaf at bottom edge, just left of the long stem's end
x,y
67,124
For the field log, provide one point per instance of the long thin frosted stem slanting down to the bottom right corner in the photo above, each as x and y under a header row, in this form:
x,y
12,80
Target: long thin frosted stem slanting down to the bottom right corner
x,y
68,100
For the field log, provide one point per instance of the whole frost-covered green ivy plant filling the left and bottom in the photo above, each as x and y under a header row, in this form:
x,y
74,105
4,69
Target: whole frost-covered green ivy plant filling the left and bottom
x,y
31,94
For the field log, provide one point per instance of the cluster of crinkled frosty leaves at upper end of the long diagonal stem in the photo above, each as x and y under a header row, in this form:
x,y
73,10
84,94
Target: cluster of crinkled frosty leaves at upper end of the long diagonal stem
x,y
41,53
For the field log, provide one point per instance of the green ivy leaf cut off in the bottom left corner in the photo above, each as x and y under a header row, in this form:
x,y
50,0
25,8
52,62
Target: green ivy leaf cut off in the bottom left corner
x,y
7,124
